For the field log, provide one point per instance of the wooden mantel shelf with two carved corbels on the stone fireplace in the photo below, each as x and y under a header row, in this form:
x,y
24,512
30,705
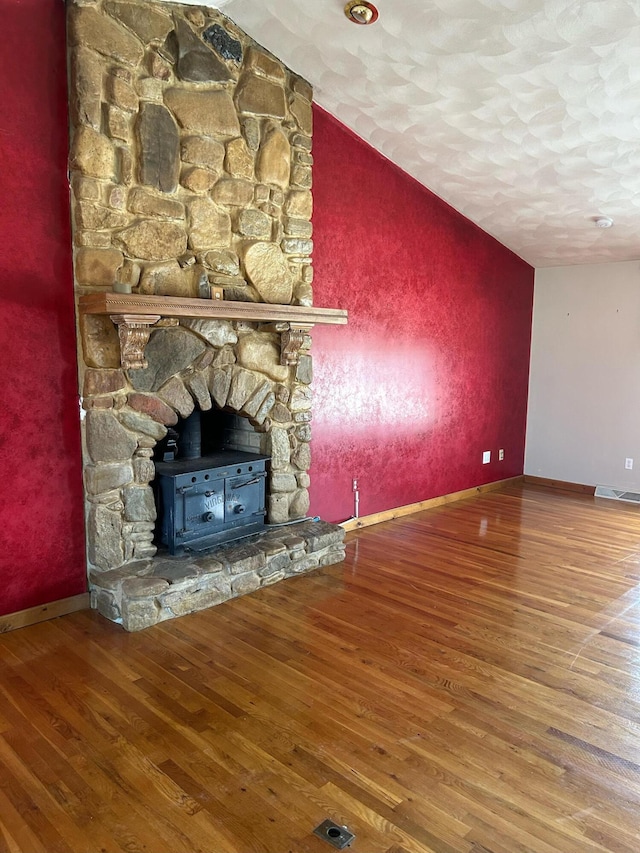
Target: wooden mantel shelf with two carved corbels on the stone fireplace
x,y
136,314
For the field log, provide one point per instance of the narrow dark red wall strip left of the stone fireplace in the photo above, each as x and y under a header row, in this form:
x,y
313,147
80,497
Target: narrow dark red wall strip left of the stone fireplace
x,y
41,516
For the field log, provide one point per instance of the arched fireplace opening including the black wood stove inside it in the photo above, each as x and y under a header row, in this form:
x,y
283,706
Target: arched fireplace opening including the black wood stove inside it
x,y
210,484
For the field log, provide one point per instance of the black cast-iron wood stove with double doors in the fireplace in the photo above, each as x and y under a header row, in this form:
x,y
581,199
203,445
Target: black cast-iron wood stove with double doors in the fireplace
x,y
211,499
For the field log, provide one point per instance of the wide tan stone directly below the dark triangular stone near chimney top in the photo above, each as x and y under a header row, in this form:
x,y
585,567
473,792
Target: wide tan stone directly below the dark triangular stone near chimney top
x,y
211,113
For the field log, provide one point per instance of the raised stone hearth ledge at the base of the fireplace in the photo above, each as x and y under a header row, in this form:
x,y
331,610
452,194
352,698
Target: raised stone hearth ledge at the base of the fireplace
x,y
146,592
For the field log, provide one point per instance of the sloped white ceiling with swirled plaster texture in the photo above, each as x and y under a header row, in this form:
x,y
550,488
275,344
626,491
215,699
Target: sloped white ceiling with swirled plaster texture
x,y
522,114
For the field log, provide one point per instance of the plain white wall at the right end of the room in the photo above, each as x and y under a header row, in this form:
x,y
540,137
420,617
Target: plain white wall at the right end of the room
x,y
584,386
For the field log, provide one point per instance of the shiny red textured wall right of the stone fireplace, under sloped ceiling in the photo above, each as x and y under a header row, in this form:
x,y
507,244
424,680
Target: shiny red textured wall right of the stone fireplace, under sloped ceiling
x,y
433,366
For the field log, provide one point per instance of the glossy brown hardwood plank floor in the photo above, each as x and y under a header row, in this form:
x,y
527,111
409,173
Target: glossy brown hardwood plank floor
x,y
468,681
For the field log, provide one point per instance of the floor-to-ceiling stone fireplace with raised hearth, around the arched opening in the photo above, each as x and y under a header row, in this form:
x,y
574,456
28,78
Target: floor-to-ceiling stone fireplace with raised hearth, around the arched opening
x,y
190,175
